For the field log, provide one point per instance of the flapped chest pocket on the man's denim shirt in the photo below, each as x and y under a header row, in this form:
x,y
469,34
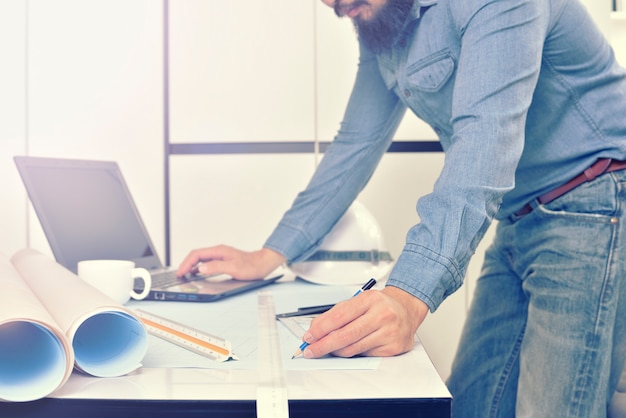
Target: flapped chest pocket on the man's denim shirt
x,y
429,74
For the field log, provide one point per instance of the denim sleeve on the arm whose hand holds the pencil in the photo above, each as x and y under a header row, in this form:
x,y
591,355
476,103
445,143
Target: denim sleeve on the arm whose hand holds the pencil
x,y
497,67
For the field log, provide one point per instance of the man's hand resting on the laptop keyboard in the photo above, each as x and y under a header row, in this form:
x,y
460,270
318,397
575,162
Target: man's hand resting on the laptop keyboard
x,y
242,265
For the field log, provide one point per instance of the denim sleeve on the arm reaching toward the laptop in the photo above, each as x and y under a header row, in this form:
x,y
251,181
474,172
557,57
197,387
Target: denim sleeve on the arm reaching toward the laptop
x,y
372,116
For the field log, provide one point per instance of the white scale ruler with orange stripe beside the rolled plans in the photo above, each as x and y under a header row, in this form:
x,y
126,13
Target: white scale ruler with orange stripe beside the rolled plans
x,y
200,342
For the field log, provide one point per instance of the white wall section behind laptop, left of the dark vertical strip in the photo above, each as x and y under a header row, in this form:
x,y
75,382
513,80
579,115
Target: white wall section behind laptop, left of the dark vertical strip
x,y
84,81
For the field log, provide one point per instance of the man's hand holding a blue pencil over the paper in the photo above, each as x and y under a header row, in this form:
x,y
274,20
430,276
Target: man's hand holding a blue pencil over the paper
x,y
374,323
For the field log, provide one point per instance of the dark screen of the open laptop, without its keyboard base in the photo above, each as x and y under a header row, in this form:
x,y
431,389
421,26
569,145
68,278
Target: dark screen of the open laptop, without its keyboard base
x,y
86,211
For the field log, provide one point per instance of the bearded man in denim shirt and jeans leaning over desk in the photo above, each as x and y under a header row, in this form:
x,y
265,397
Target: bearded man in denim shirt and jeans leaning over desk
x,y
525,96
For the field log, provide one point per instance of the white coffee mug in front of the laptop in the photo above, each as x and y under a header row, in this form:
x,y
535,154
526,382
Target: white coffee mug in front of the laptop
x,y
115,278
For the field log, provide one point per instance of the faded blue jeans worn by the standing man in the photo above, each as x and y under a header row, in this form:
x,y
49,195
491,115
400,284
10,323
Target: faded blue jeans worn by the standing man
x,y
545,335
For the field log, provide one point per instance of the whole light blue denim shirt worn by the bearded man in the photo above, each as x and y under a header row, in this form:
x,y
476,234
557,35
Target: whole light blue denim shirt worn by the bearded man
x,y
524,95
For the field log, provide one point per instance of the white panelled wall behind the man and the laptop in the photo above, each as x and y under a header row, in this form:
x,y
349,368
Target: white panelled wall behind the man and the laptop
x,y
84,79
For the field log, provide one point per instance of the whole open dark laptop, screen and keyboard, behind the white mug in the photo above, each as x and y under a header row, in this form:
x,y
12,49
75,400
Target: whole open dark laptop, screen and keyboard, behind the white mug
x,y
87,213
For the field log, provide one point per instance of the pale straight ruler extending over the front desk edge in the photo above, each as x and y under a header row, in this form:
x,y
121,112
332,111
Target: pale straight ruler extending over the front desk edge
x,y
272,400
